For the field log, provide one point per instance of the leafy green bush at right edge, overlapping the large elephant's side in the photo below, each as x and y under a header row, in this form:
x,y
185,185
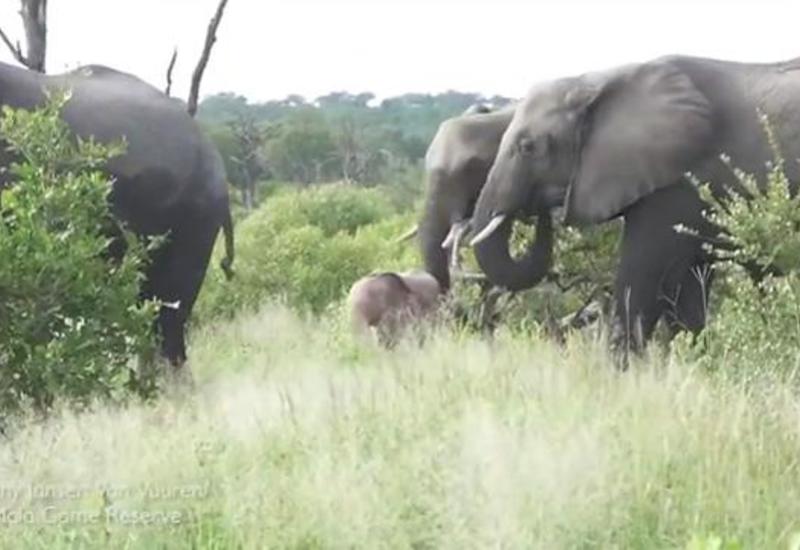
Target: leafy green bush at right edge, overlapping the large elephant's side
x,y
754,328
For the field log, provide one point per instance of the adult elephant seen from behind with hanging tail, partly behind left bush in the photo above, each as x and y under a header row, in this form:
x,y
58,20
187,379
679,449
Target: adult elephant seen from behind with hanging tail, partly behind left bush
x,y
170,180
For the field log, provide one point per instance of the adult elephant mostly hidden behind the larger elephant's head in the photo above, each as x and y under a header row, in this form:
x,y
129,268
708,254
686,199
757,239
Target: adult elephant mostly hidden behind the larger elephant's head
x,y
456,165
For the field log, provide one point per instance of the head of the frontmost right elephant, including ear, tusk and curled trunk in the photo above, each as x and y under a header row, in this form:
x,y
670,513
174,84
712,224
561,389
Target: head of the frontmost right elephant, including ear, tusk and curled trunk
x,y
594,144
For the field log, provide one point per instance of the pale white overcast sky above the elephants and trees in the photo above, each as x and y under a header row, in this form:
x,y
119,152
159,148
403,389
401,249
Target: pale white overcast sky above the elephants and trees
x,y
268,49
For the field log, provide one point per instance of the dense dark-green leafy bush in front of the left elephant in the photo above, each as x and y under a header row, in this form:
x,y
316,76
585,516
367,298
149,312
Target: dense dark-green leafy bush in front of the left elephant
x,y
69,318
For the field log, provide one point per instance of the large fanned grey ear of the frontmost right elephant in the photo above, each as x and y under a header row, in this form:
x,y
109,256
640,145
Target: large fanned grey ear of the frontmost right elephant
x,y
645,128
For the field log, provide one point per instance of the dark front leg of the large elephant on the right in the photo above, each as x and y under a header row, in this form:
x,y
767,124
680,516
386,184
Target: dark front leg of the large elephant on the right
x,y
655,259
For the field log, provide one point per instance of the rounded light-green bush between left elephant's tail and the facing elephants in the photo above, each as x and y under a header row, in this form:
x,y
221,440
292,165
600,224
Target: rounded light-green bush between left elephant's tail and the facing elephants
x,y
306,247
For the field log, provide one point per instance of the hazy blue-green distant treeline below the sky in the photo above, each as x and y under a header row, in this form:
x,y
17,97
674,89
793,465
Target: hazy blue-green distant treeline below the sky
x,y
336,136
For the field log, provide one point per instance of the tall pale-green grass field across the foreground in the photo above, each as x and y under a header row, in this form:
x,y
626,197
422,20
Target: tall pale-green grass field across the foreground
x,y
296,438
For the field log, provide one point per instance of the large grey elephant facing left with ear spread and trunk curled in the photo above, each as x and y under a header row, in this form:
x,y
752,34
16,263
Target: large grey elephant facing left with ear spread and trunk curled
x,y
620,143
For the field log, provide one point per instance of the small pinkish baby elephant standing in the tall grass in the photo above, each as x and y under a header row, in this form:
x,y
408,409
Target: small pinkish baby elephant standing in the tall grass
x,y
383,305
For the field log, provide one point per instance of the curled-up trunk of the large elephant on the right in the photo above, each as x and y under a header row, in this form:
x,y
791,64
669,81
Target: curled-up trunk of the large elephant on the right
x,y
503,270
